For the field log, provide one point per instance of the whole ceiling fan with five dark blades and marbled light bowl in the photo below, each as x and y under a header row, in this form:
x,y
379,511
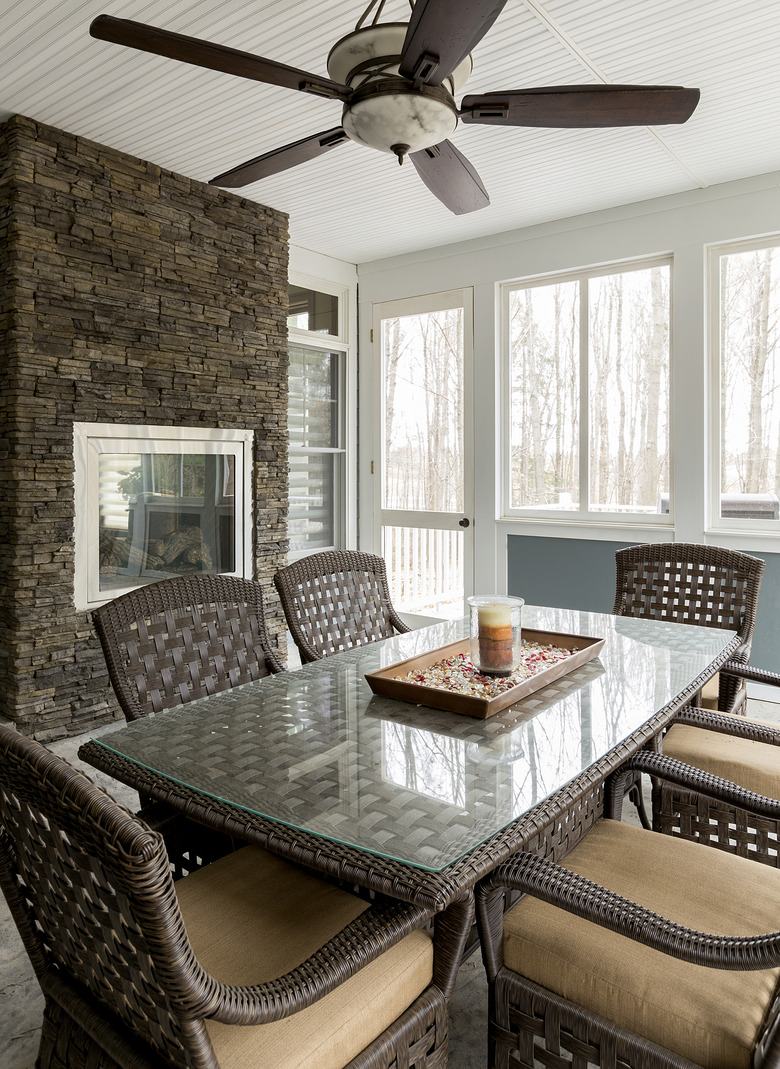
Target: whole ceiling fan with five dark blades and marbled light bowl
x,y
398,85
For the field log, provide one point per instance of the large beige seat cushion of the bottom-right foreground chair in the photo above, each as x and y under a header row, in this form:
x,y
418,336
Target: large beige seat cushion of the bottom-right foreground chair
x,y
709,1016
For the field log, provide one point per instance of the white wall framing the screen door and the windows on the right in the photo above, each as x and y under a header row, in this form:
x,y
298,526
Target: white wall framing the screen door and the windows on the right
x,y
682,226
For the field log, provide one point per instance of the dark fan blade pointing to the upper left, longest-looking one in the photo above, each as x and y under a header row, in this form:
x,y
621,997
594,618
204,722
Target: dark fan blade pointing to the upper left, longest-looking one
x,y
206,54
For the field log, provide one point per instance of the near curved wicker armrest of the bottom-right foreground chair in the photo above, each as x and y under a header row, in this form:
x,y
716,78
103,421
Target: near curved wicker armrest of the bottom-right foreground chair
x,y
569,891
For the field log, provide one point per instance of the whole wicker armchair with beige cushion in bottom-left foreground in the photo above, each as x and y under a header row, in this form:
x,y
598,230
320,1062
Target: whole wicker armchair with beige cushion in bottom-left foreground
x,y
248,964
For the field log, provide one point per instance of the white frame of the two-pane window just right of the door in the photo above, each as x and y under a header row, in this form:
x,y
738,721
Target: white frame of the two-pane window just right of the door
x,y
570,518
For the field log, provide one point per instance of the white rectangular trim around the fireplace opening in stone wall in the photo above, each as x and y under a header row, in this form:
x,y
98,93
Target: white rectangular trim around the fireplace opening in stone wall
x,y
91,440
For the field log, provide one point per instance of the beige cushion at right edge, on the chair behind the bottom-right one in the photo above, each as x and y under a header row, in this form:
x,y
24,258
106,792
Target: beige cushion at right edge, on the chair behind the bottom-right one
x,y
755,766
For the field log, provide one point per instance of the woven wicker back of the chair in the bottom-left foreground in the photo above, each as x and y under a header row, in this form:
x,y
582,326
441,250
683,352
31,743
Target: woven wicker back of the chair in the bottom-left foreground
x,y
91,893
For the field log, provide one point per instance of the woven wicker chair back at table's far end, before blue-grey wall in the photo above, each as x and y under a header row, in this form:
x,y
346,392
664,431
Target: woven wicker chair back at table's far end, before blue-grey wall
x,y
691,584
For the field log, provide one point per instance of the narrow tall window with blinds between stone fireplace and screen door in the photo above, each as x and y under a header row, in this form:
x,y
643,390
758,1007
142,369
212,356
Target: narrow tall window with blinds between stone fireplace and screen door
x,y
317,420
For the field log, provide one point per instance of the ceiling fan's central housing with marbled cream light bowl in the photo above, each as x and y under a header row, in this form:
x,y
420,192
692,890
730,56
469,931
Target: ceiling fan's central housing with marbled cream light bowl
x,y
387,112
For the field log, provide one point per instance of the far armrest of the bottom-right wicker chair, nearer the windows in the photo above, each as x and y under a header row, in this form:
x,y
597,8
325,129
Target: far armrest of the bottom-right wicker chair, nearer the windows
x,y
684,776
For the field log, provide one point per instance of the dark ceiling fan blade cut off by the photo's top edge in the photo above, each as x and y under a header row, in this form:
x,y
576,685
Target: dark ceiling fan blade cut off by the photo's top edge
x,y
442,34
